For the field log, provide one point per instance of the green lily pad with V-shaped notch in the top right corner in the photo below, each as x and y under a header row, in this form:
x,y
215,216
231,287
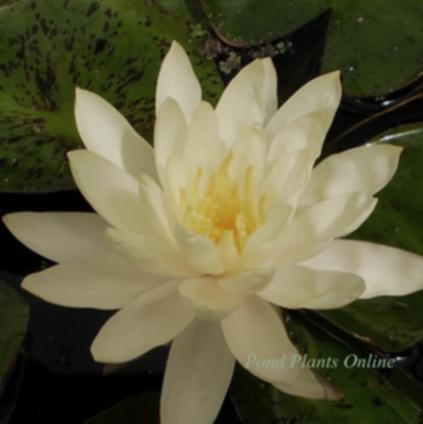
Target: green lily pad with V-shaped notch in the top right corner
x,y
377,44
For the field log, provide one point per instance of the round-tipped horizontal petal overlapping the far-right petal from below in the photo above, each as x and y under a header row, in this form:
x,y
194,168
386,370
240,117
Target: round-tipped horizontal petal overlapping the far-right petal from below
x,y
303,287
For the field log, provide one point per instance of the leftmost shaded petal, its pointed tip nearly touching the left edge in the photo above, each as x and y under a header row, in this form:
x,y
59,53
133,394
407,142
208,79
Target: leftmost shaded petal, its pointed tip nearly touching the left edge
x,y
59,236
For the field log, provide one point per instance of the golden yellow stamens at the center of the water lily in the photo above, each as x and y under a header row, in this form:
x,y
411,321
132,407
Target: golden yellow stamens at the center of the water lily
x,y
223,205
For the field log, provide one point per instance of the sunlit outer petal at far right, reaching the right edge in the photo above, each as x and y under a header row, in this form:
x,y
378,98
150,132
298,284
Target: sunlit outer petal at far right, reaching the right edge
x,y
387,271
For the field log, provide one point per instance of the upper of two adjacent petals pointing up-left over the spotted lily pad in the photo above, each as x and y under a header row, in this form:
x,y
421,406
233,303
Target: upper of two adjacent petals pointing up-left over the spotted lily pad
x,y
107,133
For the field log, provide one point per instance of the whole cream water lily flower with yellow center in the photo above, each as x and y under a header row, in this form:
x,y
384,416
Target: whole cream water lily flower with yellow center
x,y
194,241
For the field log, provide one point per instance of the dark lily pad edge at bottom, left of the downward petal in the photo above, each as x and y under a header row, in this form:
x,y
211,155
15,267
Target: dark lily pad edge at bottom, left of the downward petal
x,y
141,408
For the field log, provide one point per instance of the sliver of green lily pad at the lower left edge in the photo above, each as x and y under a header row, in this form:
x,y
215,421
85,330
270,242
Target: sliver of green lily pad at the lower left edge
x,y
14,314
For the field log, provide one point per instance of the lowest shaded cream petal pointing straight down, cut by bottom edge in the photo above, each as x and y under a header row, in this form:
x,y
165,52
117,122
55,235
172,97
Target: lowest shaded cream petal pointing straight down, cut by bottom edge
x,y
198,372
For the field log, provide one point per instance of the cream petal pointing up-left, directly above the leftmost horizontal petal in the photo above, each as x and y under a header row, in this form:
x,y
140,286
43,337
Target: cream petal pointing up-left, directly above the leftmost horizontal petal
x,y
111,191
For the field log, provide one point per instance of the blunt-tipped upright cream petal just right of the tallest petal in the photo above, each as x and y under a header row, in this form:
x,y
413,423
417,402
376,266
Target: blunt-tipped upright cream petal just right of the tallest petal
x,y
248,99
